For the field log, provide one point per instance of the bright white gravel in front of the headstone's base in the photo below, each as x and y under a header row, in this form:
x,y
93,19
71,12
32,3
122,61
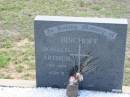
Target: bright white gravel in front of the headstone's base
x,y
51,92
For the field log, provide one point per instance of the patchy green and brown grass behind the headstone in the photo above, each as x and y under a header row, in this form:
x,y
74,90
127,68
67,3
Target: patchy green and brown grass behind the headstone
x,y
17,35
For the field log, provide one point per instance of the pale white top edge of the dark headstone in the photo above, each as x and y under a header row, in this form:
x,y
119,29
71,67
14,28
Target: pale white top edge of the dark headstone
x,y
82,19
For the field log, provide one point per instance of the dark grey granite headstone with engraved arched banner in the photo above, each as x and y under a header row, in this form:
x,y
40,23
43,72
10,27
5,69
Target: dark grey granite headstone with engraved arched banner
x,y
57,38
